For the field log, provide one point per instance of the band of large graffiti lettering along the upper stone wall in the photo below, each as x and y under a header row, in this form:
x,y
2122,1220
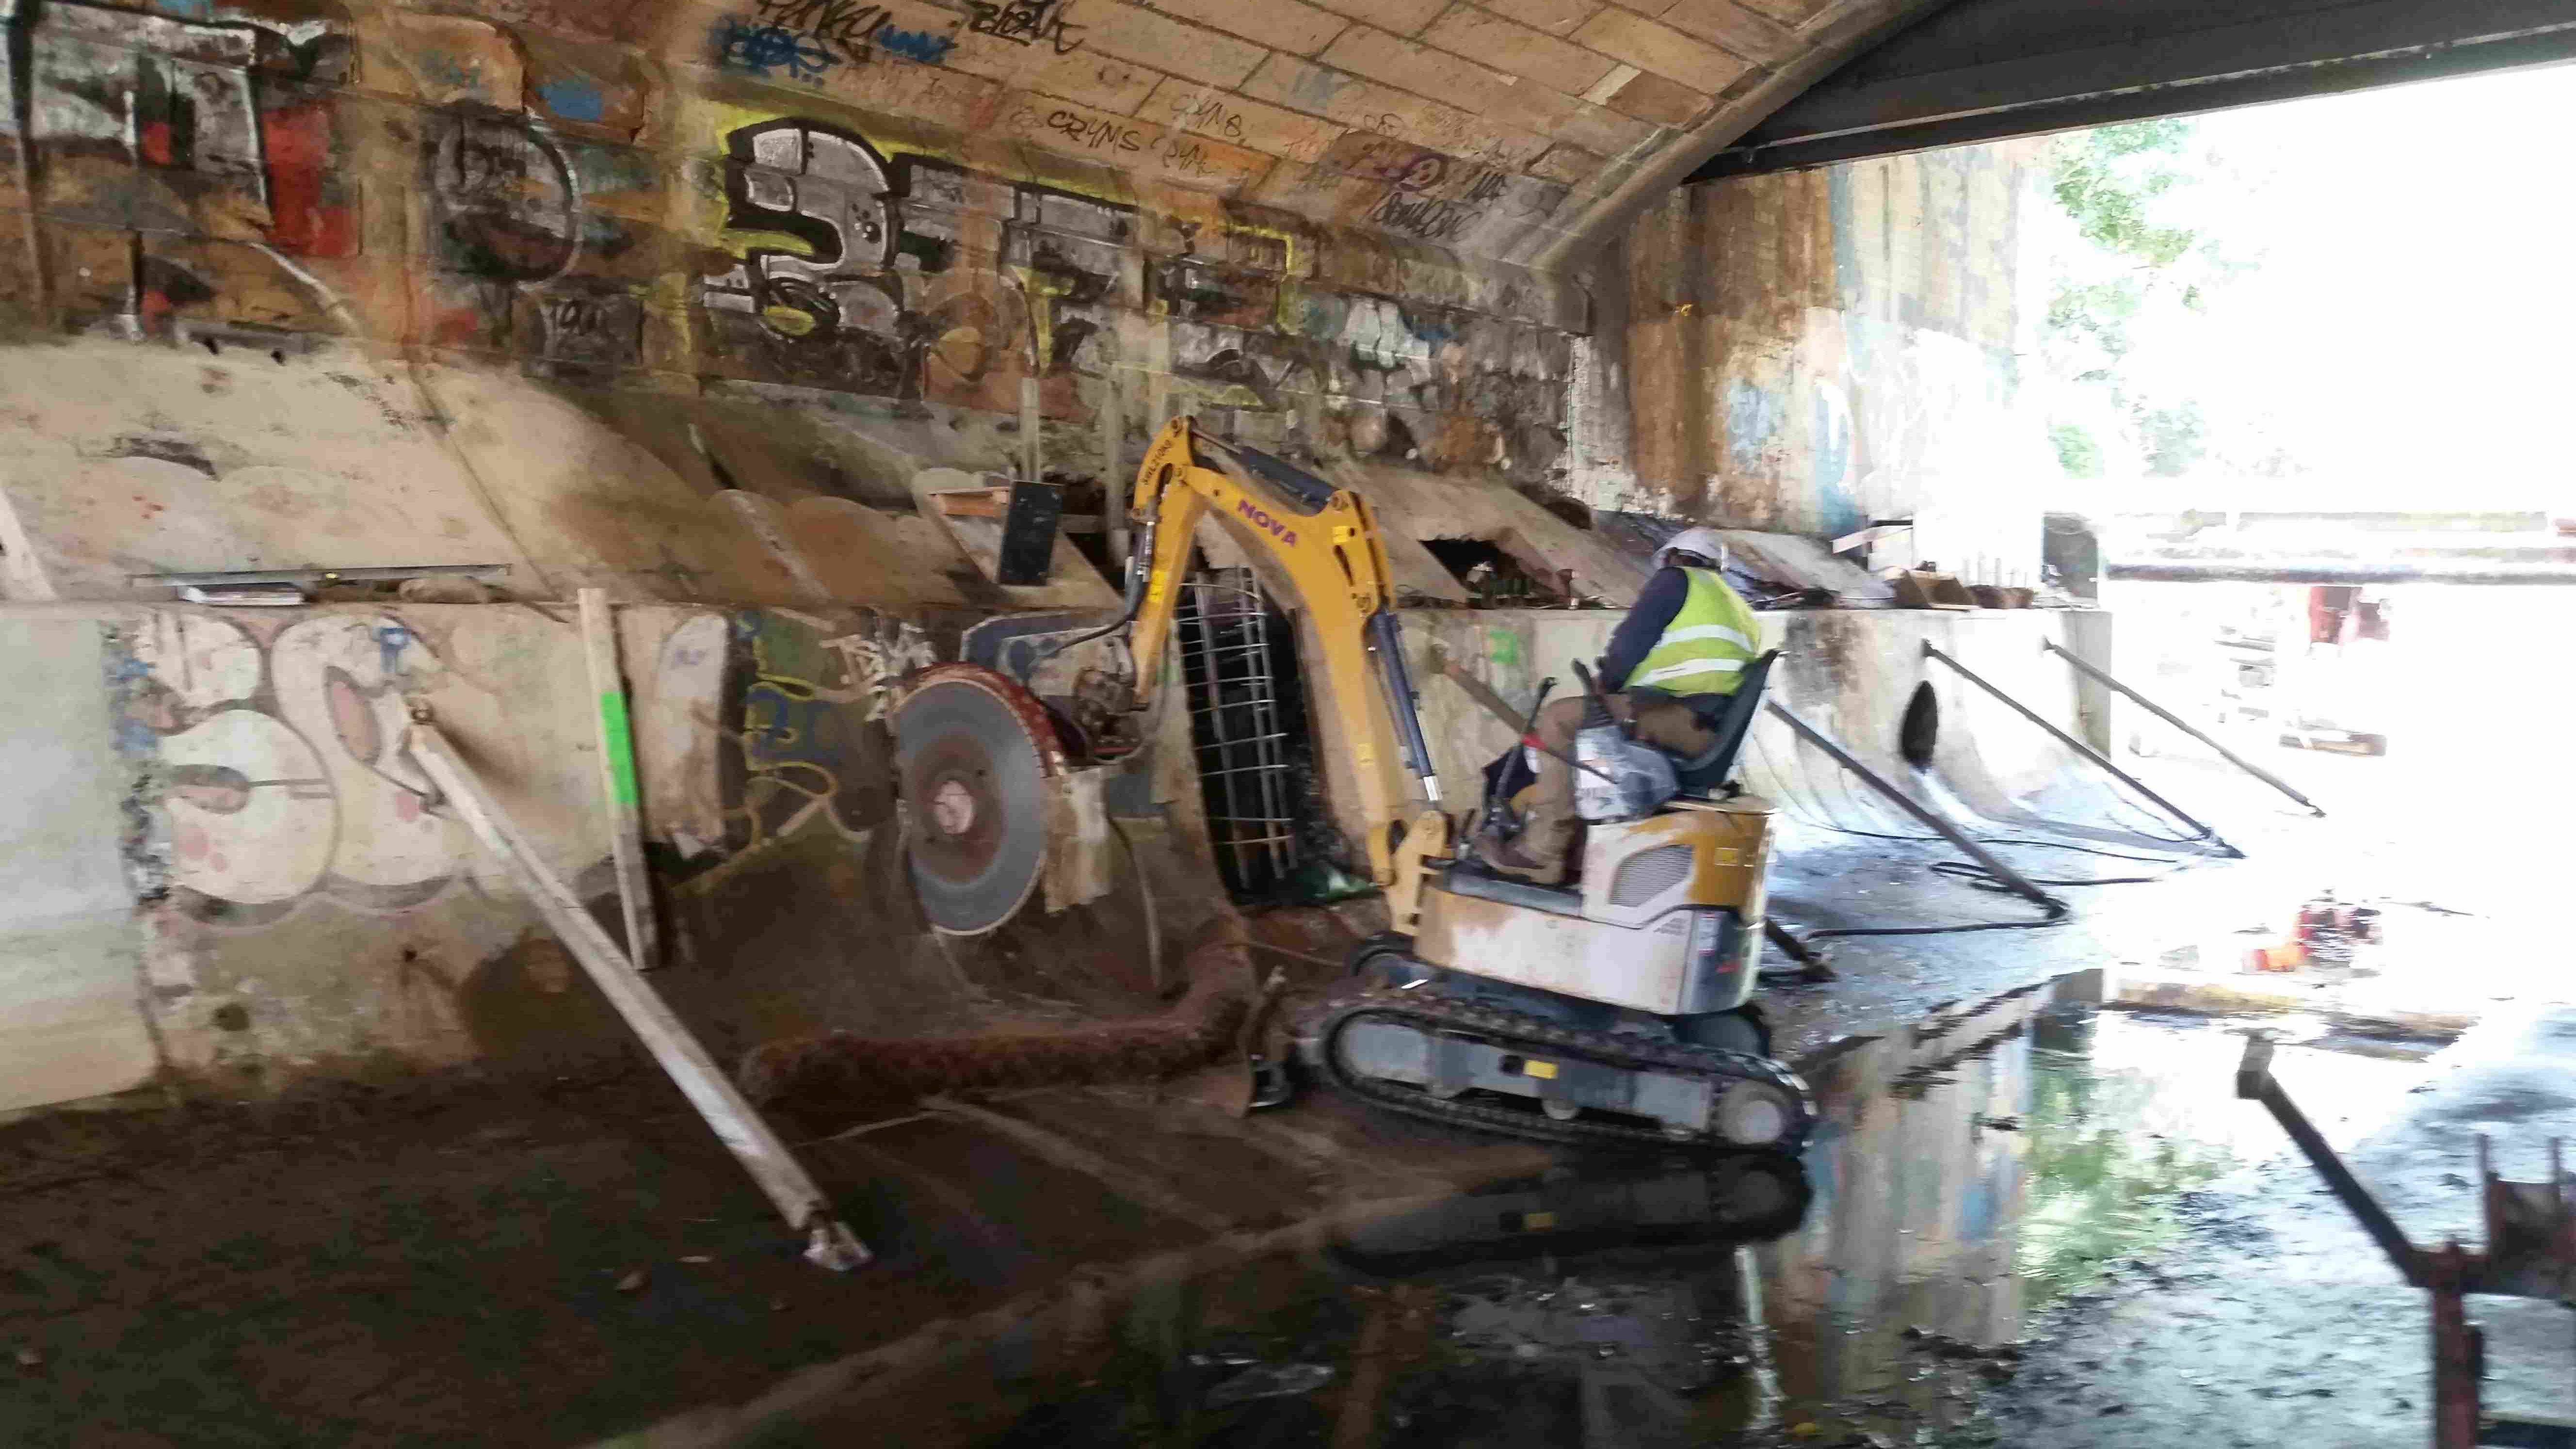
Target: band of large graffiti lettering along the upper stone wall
x,y
194,153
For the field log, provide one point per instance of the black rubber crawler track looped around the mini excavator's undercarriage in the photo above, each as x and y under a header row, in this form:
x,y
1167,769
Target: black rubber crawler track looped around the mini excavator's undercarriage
x,y
1444,1015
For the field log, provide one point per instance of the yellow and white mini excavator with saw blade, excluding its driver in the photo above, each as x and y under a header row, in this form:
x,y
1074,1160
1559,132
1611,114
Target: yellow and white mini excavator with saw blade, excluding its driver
x,y
1614,1009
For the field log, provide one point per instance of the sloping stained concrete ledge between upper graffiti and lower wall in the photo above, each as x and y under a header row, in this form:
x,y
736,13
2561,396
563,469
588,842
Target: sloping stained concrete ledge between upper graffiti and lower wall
x,y
158,460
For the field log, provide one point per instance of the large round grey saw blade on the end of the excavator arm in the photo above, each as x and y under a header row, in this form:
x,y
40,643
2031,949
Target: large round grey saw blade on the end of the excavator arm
x,y
975,757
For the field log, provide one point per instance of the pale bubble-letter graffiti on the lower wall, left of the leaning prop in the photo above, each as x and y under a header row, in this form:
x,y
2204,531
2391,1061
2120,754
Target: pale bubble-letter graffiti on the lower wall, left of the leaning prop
x,y
279,764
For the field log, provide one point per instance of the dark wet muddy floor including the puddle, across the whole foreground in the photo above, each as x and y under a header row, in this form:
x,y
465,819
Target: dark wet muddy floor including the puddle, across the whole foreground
x,y
1127,1267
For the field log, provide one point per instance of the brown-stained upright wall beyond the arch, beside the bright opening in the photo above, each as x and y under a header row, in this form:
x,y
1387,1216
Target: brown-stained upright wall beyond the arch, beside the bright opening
x,y
1815,352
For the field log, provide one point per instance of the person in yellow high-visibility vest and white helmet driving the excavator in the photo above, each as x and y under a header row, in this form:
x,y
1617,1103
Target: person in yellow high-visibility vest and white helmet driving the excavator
x,y
1686,638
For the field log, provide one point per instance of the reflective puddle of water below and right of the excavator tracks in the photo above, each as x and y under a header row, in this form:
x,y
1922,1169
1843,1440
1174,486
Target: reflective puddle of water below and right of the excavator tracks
x,y
1967,1174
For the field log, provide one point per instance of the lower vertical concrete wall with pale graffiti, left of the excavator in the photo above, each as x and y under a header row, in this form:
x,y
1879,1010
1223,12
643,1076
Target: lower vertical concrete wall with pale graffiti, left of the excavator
x,y
225,870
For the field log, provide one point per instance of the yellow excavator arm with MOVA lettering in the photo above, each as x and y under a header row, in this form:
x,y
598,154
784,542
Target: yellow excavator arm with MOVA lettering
x,y
1328,545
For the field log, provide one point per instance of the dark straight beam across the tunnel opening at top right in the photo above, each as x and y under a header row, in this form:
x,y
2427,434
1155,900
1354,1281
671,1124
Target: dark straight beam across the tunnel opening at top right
x,y
2016,68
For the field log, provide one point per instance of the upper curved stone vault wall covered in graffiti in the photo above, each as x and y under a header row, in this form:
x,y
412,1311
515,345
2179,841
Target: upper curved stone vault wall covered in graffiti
x,y
1096,218
